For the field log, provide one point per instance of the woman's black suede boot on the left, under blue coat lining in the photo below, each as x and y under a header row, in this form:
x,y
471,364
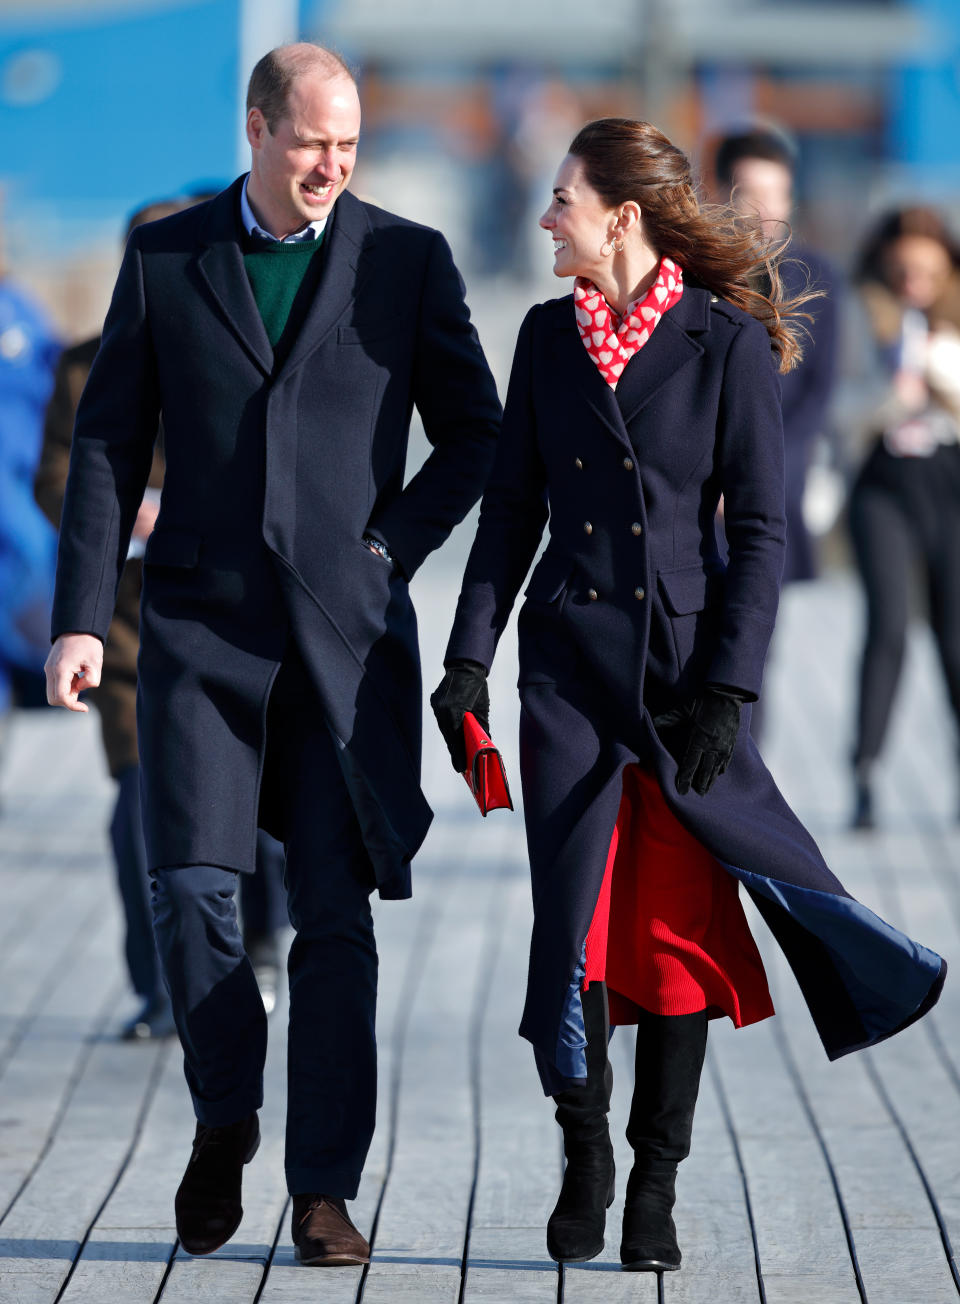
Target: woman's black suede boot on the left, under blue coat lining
x,y
576,1229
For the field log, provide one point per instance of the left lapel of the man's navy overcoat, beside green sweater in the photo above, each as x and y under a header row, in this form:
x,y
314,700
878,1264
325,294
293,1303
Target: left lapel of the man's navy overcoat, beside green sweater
x,y
221,265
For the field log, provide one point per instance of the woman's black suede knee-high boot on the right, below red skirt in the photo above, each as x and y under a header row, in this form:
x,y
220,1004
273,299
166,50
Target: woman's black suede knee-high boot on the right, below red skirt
x,y
670,1059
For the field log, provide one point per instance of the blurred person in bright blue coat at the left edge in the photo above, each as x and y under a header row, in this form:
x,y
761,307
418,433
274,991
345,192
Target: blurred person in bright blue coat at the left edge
x,y
29,350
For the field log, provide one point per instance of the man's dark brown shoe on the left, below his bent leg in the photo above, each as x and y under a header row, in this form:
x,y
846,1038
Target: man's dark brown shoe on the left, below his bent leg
x,y
208,1204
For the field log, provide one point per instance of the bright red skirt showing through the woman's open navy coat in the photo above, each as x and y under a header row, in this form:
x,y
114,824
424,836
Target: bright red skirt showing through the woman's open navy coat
x,y
670,933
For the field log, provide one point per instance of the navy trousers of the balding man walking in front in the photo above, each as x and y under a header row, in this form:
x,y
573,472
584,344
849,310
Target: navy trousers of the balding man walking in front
x,y
332,1057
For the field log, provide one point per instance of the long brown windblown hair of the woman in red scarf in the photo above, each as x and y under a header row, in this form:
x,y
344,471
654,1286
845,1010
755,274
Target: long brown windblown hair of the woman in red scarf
x,y
722,251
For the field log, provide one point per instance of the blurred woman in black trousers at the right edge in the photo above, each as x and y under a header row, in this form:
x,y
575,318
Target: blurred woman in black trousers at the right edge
x,y
905,509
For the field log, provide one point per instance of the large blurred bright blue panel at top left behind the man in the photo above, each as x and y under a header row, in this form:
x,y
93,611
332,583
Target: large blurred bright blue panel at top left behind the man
x,y
105,108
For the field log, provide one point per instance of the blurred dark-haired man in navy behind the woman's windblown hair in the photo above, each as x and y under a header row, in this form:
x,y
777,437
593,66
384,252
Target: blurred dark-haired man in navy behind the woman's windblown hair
x,y
756,173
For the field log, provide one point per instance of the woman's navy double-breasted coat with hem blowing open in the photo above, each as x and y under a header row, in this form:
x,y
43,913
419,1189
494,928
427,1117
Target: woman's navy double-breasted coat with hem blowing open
x,y
629,611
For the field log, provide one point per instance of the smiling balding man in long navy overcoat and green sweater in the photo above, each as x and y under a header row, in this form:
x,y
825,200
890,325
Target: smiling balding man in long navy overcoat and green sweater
x,y
284,332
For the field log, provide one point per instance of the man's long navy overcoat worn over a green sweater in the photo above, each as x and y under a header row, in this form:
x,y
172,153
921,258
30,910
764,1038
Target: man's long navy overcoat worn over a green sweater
x,y
276,470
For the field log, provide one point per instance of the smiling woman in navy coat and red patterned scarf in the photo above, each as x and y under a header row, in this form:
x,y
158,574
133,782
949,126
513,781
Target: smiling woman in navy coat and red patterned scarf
x,y
633,406
